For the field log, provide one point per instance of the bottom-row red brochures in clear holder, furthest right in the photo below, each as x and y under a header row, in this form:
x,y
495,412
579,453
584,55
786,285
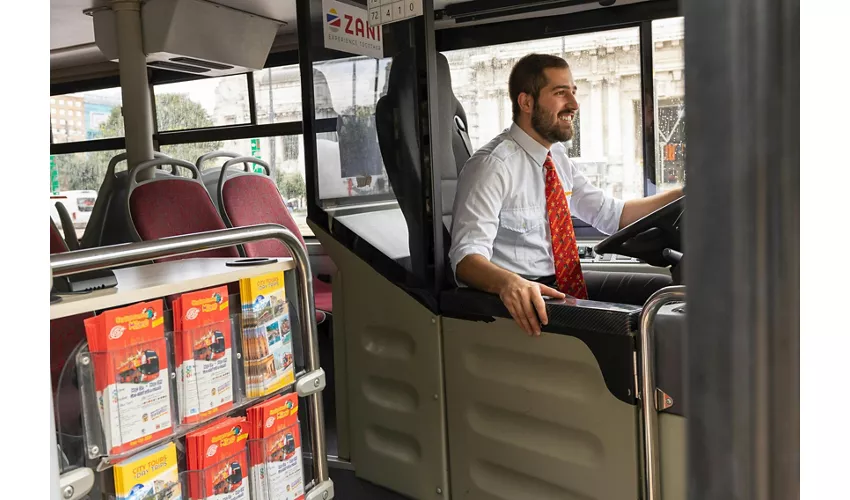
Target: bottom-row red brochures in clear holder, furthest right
x,y
277,467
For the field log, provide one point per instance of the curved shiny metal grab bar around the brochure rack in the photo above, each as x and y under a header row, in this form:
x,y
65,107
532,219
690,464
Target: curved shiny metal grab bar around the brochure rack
x,y
131,253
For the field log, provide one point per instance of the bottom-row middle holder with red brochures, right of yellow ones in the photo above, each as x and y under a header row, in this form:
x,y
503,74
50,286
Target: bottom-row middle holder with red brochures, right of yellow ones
x,y
227,477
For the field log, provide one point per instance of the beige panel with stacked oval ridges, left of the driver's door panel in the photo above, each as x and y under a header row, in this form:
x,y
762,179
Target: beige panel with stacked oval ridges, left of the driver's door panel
x,y
394,381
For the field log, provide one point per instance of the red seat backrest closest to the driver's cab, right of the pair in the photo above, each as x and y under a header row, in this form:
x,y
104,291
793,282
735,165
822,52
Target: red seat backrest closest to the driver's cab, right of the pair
x,y
254,199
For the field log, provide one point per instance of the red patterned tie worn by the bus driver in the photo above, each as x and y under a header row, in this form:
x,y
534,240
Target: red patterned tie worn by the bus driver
x,y
564,247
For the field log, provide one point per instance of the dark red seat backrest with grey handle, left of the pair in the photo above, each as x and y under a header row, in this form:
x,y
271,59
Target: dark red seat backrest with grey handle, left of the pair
x,y
172,206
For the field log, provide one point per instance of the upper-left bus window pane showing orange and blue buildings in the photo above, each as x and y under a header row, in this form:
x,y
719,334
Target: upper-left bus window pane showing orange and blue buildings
x,y
99,112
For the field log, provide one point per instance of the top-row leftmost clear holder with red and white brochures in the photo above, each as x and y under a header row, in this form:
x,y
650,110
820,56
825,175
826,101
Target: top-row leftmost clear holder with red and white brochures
x,y
128,399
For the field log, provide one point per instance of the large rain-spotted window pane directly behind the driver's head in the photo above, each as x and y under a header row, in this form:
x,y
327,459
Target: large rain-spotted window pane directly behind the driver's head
x,y
607,146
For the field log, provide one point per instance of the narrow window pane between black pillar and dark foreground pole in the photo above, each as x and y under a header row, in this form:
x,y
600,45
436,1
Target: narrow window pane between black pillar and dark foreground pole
x,y
668,36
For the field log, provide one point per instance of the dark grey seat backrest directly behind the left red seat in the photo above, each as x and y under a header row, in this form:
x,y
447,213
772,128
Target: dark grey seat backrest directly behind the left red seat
x,y
107,223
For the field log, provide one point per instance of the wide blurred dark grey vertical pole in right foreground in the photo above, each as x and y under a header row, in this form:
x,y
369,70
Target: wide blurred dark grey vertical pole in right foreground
x,y
742,240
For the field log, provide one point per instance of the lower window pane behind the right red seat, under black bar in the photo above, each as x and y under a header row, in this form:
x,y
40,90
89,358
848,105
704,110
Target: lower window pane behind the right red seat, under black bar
x,y
285,156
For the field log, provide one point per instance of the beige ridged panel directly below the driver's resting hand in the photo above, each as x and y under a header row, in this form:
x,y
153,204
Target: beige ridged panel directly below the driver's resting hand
x,y
531,418
